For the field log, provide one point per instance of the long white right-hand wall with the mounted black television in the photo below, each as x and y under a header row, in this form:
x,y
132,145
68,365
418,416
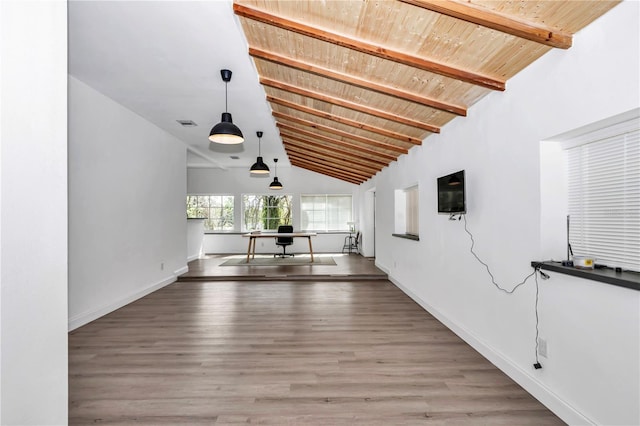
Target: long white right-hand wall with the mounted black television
x,y
592,373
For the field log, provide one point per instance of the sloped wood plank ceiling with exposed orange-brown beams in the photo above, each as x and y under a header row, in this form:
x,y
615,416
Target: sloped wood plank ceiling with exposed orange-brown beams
x,y
354,84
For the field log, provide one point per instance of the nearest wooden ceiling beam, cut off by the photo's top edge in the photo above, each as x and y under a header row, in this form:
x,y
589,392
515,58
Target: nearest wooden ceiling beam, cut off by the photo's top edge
x,y
485,17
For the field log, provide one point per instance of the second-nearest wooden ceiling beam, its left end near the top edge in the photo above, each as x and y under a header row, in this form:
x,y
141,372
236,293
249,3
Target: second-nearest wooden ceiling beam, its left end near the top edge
x,y
369,48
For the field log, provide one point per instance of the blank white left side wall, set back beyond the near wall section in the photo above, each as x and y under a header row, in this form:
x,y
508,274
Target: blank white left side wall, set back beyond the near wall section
x,y
127,220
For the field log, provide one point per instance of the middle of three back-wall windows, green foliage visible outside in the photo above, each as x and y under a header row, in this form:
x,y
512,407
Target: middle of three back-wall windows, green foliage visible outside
x,y
265,212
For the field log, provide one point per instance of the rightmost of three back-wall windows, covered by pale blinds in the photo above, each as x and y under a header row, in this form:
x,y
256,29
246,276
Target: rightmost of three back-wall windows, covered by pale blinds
x,y
326,212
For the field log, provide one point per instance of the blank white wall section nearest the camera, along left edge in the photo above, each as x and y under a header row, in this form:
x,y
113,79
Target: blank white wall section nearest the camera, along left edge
x,y
33,221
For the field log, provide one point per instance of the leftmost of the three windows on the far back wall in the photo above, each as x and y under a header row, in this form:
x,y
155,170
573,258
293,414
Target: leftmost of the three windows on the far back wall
x,y
217,210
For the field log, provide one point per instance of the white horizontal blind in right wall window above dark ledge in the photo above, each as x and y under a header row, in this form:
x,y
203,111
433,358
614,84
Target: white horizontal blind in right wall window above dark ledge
x,y
604,199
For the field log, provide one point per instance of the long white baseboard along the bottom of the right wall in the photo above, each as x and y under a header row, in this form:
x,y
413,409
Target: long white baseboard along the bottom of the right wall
x,y
546,396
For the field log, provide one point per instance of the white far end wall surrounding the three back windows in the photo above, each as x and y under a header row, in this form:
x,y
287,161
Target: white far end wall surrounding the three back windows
x,y
296,182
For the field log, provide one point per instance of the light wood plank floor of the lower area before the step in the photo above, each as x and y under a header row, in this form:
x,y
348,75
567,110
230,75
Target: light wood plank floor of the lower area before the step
x,y
285,353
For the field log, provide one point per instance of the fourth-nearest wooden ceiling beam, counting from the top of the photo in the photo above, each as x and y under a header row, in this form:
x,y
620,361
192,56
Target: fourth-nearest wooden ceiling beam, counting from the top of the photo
x,y
348,104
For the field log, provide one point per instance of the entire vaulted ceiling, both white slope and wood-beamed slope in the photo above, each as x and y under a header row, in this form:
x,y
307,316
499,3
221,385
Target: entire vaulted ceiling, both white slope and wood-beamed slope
x,y
341,88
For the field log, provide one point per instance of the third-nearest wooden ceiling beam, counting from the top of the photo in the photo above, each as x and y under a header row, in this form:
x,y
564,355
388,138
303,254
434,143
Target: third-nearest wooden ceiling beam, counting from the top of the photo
x,y
356,81
